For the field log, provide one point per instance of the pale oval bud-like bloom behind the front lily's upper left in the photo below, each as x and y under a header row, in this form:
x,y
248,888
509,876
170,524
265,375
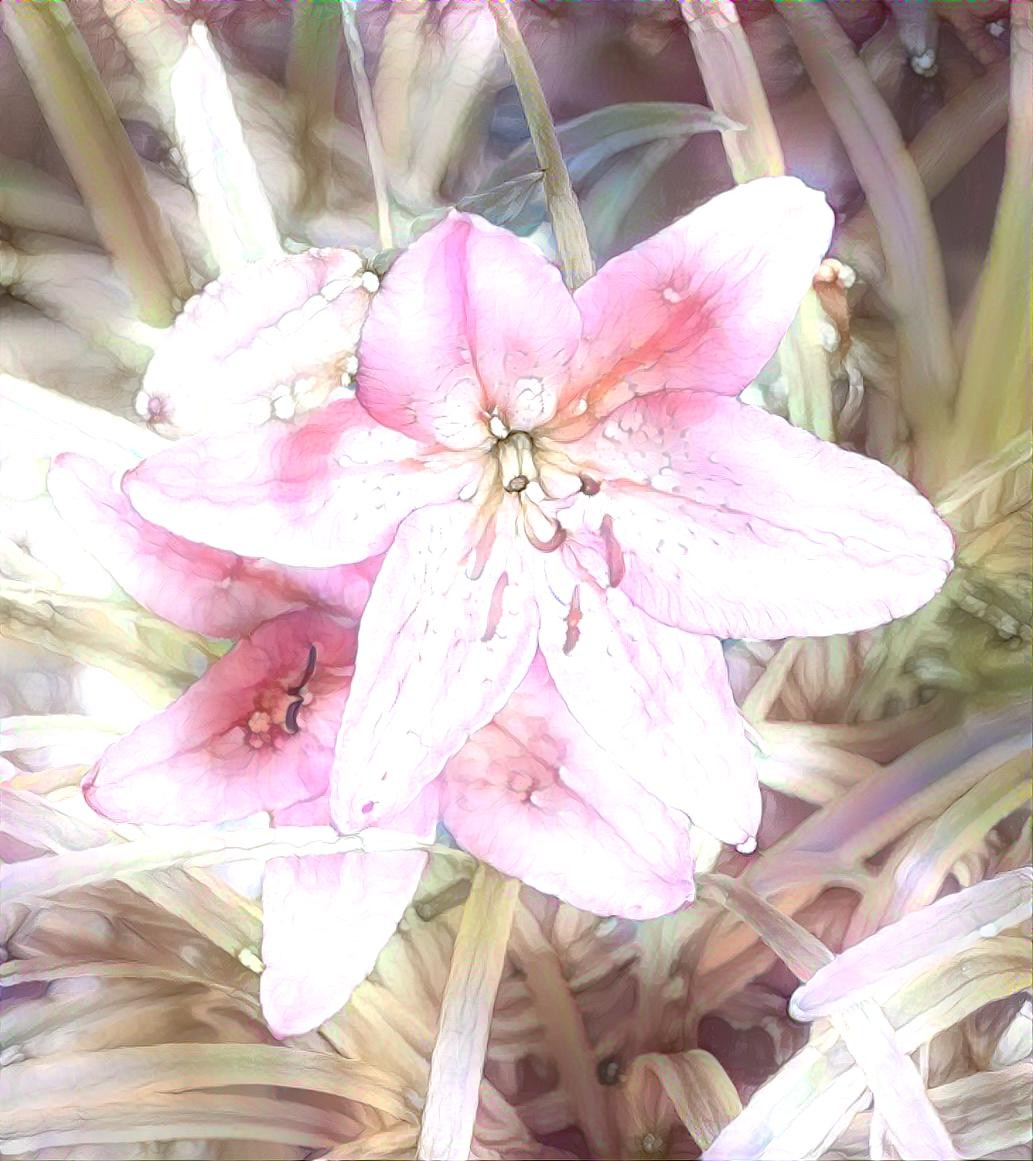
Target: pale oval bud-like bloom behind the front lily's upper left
x,y
271,337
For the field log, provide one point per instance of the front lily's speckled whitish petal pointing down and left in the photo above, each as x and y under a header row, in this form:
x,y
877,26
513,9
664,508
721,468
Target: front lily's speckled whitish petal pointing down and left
x,y
446,638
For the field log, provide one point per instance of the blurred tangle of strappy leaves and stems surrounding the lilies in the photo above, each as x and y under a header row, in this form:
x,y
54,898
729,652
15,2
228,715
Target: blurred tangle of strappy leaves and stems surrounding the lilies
x,y
147,146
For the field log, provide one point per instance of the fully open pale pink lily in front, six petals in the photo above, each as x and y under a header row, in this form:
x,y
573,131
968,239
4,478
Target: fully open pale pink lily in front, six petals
x,y
573,477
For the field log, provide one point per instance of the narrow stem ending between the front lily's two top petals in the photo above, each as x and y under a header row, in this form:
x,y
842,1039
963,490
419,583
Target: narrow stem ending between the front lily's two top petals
x,y
568,225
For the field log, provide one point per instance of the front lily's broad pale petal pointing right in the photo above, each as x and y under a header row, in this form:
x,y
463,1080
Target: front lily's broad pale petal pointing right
x,y
728,521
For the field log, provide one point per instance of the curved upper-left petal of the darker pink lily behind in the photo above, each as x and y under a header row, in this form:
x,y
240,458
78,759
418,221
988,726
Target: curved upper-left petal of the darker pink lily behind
x,y
203,589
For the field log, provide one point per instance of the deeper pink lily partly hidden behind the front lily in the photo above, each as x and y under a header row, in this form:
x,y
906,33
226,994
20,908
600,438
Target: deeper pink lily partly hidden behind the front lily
x,y
257,733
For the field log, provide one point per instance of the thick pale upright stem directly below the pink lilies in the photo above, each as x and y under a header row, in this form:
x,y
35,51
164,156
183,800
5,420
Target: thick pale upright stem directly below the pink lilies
x,y
458,1062
